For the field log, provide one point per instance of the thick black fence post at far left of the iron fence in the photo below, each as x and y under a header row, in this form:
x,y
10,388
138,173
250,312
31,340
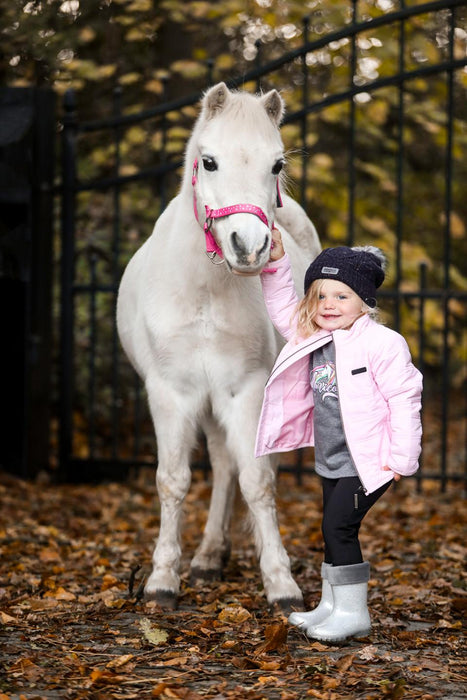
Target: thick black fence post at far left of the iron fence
x,y
67,267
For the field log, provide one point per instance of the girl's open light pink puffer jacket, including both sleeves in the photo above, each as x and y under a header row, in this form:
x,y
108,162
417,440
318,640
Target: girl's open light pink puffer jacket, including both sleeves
x,y
379,390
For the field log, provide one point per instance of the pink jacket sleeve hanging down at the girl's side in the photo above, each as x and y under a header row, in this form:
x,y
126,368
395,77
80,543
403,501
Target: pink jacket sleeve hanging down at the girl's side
x,y
400,383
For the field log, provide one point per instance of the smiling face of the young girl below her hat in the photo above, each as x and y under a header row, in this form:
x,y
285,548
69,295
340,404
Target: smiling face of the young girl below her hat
x,y
338,306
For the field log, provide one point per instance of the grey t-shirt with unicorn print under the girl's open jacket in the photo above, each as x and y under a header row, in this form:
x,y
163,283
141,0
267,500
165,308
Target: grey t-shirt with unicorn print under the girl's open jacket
x,y
332,457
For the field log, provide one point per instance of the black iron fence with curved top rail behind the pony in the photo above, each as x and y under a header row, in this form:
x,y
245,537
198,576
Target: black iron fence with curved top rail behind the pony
x,y
348,90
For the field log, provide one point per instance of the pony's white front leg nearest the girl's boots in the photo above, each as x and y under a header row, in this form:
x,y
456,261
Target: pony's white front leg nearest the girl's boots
x,y
257,481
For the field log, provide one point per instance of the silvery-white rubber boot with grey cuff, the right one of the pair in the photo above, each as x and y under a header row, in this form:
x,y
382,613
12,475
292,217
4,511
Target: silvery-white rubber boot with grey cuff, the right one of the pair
x,y
349,616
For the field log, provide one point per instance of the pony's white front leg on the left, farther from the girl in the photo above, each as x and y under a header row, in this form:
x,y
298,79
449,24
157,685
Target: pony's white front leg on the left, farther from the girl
x,y
176,438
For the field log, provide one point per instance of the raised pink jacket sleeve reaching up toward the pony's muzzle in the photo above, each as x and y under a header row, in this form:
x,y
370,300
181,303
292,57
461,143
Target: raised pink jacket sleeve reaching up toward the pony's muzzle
x,y
280,296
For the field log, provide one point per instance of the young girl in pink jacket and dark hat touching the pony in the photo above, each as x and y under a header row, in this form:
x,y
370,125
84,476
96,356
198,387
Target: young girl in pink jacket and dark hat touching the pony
x,y
345,384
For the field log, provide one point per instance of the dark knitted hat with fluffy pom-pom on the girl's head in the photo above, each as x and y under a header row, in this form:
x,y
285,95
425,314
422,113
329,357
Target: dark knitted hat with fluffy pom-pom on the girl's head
x,y
361,268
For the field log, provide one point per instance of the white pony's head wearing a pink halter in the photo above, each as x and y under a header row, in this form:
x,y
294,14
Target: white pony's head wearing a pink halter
x,y
236,155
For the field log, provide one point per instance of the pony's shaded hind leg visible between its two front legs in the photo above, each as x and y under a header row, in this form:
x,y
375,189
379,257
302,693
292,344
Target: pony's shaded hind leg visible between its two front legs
x,y
214,550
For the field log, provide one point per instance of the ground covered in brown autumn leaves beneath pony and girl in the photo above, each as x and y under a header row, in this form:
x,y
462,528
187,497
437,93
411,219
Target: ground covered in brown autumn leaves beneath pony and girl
x,y
72,625
